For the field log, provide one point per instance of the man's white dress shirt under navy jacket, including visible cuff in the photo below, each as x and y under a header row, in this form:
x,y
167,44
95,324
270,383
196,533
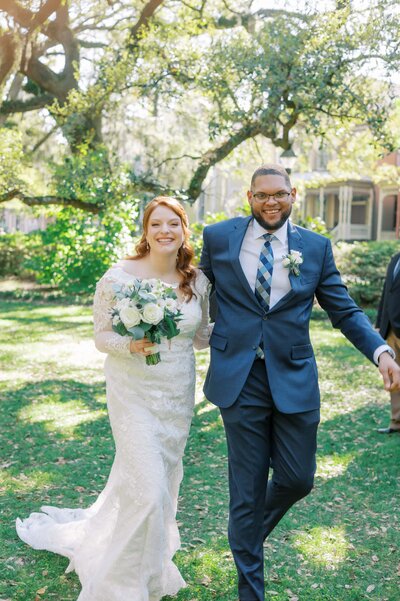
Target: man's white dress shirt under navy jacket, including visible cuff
x,y
249,256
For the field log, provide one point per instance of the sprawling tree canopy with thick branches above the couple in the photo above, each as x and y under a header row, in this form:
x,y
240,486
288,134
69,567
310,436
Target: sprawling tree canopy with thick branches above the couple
x,y
111,99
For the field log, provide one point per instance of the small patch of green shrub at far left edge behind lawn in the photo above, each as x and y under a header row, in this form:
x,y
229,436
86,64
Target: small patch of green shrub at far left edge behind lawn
x,y
14,251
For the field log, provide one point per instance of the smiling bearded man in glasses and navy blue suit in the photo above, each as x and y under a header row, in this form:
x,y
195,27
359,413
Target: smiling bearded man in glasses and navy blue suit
x,y
263,376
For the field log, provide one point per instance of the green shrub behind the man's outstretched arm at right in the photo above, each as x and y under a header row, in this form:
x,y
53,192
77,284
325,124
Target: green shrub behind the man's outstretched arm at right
x,y
363,267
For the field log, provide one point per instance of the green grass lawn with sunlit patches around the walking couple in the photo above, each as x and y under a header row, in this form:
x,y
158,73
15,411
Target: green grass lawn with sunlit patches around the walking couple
x,y
338,544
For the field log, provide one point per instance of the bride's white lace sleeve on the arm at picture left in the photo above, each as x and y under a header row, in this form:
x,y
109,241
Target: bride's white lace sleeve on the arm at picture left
x,y
105,339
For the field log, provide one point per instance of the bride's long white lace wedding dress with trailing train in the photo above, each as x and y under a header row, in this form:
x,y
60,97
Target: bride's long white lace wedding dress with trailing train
x,y
122,546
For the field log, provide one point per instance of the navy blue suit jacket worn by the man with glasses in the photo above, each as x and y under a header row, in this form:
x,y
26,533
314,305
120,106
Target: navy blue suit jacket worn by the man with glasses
x,y
241,322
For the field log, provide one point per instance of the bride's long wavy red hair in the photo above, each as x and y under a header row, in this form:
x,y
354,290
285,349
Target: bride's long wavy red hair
x,y
185,253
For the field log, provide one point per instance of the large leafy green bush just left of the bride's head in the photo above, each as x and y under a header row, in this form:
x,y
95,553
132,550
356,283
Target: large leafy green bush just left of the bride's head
x,y
77,248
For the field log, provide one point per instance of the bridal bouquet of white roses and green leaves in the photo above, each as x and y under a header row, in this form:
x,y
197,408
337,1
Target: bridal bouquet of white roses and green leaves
x,y
146,308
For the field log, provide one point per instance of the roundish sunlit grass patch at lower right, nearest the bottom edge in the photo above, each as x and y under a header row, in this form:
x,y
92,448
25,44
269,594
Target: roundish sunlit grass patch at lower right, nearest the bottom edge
x,y
324,546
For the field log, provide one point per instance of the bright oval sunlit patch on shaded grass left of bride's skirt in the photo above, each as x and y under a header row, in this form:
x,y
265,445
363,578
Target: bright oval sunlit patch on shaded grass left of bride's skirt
x,y
61,417
